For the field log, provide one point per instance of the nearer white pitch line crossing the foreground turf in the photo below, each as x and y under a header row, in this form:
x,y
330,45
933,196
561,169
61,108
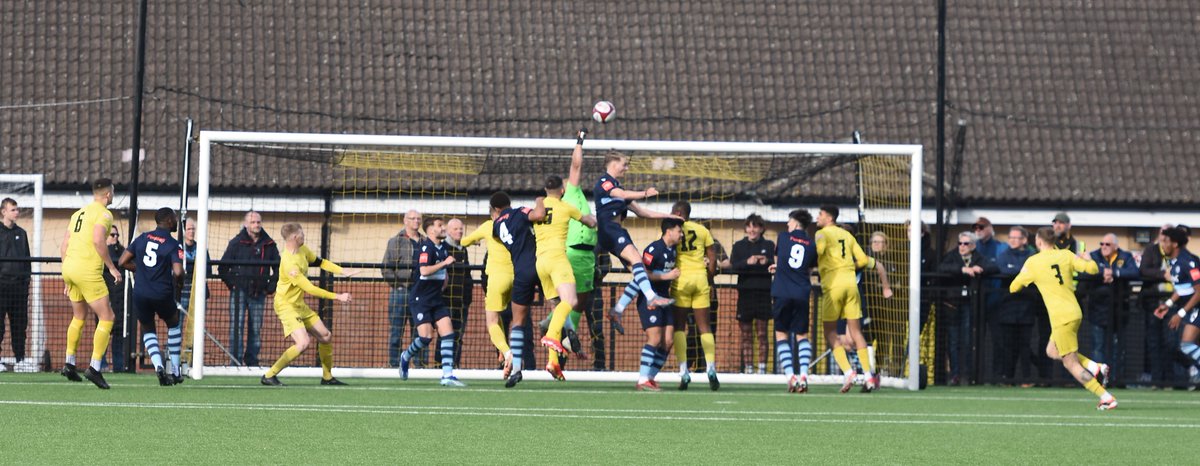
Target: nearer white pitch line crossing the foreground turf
x,y
629,415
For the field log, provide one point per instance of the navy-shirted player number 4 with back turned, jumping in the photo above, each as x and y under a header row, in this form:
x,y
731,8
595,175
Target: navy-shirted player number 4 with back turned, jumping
x,y
514,229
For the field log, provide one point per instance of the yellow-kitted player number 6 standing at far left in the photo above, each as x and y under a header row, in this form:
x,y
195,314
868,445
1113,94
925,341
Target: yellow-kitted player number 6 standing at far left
x,y
85,259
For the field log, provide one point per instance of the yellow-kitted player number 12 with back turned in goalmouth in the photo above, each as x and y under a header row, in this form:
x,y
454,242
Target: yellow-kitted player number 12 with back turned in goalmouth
x,y
692,291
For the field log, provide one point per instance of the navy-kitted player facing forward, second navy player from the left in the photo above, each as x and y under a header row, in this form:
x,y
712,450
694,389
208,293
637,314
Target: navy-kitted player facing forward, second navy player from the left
x,y
427,304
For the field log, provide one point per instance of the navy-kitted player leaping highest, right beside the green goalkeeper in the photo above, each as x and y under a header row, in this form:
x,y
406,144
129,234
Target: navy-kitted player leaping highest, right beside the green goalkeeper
x,y
613,202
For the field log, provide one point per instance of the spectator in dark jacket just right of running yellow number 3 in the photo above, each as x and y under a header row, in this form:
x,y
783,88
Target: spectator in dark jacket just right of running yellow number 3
x,y
1117,267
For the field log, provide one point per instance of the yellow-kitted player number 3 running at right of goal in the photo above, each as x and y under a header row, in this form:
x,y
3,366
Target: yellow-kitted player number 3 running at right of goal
x,y
1052,271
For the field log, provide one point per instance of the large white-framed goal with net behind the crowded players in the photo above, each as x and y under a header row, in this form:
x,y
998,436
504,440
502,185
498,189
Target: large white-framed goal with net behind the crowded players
x,y
352,194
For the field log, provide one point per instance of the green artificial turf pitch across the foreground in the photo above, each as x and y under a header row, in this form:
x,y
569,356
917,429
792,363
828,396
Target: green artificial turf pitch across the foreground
x,y
236,421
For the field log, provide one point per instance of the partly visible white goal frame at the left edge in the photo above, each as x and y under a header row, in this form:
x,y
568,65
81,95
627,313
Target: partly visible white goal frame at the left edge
x,y
27,190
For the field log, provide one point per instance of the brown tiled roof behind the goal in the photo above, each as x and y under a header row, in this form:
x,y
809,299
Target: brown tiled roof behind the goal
x,y
1064,104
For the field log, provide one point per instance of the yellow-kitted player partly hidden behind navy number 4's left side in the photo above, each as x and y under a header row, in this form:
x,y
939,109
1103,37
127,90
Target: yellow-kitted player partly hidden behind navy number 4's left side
x,y
500,288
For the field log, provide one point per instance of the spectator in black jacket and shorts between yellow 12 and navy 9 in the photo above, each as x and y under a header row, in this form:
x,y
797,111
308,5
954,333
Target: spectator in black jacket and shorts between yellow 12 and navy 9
x,y
752,259
